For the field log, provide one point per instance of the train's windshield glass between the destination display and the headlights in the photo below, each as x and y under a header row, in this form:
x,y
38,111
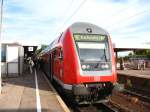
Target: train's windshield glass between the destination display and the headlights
x,y
92,51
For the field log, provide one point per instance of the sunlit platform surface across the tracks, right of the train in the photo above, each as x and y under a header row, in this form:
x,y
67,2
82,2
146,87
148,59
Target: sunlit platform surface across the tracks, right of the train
x,y
135,73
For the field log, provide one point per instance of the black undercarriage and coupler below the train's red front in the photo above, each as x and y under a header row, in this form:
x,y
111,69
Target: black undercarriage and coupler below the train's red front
x,y
91,92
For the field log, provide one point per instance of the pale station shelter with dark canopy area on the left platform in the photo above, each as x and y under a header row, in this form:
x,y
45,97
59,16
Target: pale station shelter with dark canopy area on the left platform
x,y
12,58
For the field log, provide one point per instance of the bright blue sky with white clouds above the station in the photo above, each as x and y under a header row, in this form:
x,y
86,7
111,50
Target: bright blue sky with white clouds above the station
x,y
41,21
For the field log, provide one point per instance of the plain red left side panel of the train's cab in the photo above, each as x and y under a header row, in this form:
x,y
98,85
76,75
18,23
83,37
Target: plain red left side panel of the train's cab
x,y
70,59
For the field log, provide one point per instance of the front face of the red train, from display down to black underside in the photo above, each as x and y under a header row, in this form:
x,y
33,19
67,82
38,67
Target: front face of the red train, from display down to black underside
x,y
96,66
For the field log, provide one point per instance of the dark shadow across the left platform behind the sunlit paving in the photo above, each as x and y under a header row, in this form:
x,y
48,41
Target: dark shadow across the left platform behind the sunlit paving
x,y
27,80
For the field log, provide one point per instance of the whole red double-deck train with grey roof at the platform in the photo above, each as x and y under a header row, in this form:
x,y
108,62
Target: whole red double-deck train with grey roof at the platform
x,y
82,62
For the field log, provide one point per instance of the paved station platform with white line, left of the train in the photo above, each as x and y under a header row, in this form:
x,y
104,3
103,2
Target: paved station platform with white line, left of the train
x,y
21,94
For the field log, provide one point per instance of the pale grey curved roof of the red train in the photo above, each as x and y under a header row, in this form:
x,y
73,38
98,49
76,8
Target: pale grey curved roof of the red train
x,y
76,28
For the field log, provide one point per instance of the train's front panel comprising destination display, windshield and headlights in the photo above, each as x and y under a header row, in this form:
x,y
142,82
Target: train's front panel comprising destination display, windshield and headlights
x,y
93,51
